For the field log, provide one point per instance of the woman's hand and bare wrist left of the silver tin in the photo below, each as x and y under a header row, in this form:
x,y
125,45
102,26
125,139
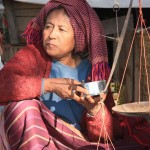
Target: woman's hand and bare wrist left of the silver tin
x,y
65,88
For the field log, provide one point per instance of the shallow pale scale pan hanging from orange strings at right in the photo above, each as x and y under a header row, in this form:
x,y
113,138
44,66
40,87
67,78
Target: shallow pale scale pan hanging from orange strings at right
x,y
141,109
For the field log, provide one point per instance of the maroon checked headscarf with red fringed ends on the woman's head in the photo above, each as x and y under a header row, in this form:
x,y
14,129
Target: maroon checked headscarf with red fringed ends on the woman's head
x,y
87,30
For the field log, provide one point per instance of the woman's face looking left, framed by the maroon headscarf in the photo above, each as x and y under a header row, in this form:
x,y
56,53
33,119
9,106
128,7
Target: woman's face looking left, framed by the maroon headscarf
x,y
58,35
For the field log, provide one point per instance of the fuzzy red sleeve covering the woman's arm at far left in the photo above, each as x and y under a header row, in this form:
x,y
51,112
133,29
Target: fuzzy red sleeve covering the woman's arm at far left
x,y
21,77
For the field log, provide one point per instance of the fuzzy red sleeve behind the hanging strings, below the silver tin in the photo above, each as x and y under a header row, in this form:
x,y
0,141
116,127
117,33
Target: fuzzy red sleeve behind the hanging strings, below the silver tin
x,y
99,124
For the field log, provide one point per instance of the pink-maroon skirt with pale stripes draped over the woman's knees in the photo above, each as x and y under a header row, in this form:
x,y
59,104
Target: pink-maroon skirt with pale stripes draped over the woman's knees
x,y
30,125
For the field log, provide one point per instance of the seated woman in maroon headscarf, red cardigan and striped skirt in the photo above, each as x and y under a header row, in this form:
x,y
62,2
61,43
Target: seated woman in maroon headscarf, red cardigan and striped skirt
x,y
47,106
